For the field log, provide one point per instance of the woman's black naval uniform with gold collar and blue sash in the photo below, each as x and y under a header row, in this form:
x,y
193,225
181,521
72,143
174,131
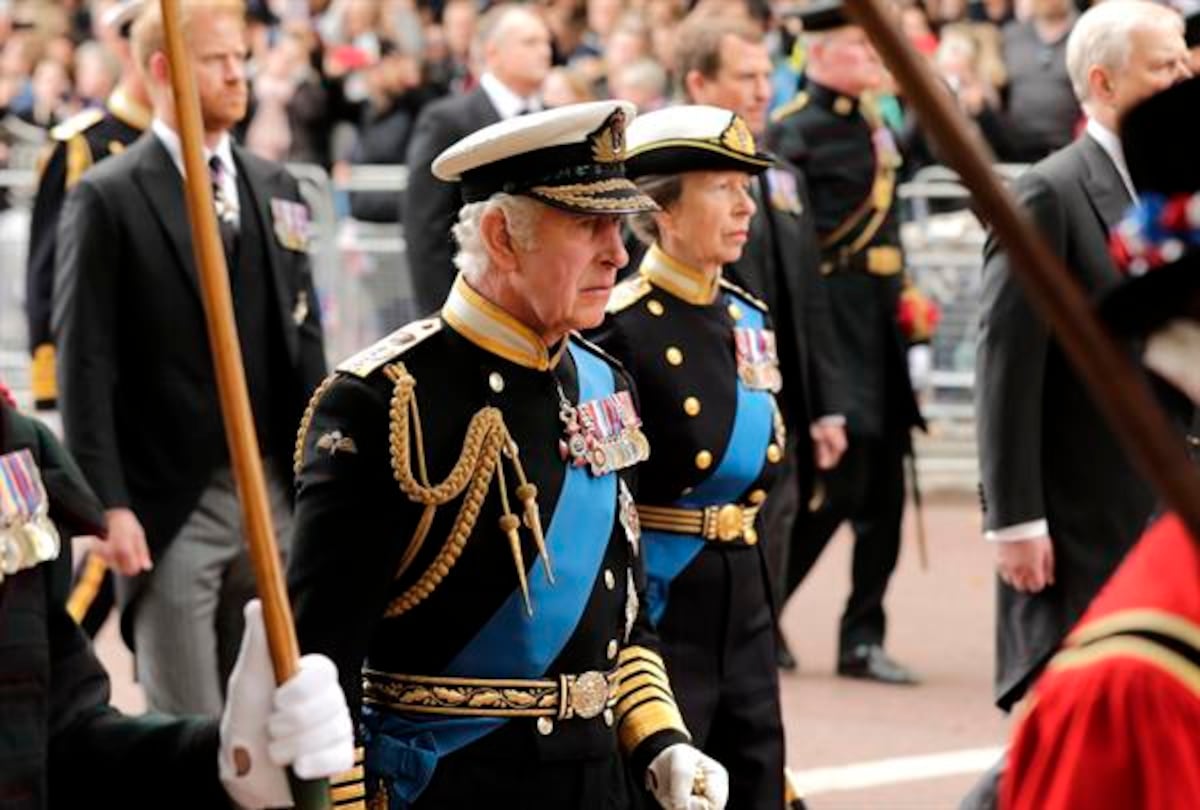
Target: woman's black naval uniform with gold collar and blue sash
x,y
673,327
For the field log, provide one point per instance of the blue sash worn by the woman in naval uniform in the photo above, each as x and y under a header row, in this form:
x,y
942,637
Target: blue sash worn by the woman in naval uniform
x,y
668,555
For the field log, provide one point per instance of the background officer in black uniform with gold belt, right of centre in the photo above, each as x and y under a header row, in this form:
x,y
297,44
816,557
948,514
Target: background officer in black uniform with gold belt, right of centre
x,y
833,133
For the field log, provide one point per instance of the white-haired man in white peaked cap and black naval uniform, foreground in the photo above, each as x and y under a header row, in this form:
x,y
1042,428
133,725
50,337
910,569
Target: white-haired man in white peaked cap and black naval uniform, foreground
x,y
467,545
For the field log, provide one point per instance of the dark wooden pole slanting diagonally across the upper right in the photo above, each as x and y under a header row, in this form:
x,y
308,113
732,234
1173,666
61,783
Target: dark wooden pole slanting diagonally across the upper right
x,y
1119,387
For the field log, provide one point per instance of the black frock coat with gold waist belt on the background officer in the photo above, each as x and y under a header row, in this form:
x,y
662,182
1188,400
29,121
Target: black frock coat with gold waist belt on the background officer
x,y
830,139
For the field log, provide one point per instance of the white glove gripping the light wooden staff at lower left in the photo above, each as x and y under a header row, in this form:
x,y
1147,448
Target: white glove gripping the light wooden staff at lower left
x,y
303,724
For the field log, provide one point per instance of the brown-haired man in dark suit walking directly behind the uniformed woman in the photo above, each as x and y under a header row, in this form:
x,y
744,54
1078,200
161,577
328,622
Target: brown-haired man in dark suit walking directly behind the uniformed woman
x,y
724,62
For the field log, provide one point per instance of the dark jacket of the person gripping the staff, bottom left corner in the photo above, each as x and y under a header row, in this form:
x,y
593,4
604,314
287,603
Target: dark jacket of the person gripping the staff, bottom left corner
x,y
62,746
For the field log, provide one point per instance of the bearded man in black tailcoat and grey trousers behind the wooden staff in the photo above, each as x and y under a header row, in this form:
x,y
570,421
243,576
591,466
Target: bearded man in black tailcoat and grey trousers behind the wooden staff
x,y
140,401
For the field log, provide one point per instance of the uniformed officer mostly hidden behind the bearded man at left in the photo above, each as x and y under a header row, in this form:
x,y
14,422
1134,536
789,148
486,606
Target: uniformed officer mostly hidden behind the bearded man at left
x,y
80,142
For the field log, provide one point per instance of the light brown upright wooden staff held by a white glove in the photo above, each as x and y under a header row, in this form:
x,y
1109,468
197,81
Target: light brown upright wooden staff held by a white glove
x,y
239,422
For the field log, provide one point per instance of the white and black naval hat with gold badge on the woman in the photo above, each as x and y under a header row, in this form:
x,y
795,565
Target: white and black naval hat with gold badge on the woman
x,y
692,139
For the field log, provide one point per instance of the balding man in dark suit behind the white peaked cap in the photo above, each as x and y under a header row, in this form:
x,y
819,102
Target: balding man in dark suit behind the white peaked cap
x,y
514,45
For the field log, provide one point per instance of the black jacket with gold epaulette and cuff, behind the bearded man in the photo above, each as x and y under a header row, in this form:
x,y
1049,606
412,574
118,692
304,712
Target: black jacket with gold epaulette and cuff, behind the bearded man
x,y
80,142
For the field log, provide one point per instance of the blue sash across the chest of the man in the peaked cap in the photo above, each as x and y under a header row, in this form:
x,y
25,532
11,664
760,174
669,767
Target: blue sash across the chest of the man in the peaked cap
x,y
512,644
